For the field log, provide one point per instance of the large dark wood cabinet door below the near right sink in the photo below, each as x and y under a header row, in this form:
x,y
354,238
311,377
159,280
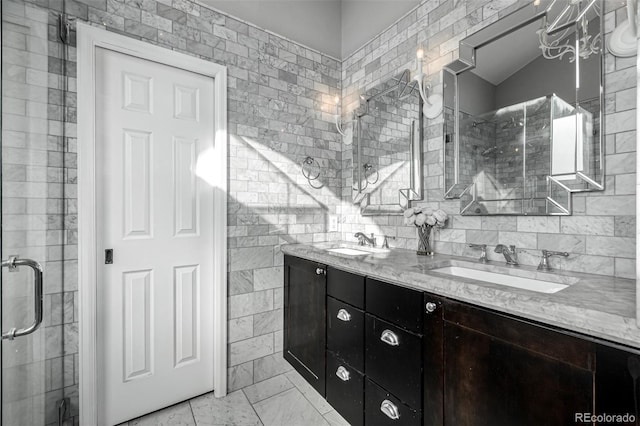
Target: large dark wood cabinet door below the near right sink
x,y
492,381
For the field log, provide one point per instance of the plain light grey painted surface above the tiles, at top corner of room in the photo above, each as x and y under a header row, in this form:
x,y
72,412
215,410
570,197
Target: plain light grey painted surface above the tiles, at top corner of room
x,y
335,27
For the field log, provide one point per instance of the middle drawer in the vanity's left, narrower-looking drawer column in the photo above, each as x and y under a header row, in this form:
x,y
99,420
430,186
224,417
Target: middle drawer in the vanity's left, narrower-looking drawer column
x,y
345,332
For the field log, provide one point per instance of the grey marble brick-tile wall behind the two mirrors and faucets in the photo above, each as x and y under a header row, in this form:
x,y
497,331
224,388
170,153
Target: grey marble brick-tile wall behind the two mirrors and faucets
x,y
600,235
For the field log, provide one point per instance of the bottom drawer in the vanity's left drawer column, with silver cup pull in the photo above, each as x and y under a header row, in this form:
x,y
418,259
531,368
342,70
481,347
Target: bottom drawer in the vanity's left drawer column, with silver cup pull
x,y
345,389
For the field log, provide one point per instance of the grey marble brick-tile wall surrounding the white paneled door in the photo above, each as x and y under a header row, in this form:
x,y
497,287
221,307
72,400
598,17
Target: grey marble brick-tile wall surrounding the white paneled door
x,y
280,109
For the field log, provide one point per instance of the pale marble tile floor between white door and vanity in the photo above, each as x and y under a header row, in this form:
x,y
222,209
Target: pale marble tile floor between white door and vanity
x,y
283,400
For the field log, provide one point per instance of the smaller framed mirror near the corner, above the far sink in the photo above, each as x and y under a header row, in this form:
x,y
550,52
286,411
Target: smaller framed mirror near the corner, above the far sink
x,y
387,152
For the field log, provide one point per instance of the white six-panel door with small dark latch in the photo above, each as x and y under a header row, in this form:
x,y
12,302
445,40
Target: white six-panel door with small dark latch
x,y
155,301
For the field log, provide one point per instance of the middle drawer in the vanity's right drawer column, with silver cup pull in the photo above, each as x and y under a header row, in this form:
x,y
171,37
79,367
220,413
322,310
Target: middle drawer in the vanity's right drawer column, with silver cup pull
x,y
393,359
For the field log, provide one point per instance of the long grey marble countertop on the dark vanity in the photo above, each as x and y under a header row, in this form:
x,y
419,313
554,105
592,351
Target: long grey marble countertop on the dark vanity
x,y
595,305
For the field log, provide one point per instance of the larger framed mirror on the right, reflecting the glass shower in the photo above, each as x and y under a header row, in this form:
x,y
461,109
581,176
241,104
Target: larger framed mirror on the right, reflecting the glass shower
x,y
523,109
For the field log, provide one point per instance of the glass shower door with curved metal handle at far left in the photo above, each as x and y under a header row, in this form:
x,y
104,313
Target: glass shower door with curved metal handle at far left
x,y
35,369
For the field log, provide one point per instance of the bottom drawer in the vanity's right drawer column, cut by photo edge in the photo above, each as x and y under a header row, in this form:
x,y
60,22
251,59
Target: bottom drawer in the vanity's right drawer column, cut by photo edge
x,y
381,408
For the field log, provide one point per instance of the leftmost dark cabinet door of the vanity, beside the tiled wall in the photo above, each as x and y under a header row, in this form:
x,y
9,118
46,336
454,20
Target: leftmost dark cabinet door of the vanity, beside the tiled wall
x,y
305,319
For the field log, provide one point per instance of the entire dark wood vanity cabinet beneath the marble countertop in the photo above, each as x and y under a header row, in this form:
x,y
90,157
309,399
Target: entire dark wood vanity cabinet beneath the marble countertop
x,y
396,356
